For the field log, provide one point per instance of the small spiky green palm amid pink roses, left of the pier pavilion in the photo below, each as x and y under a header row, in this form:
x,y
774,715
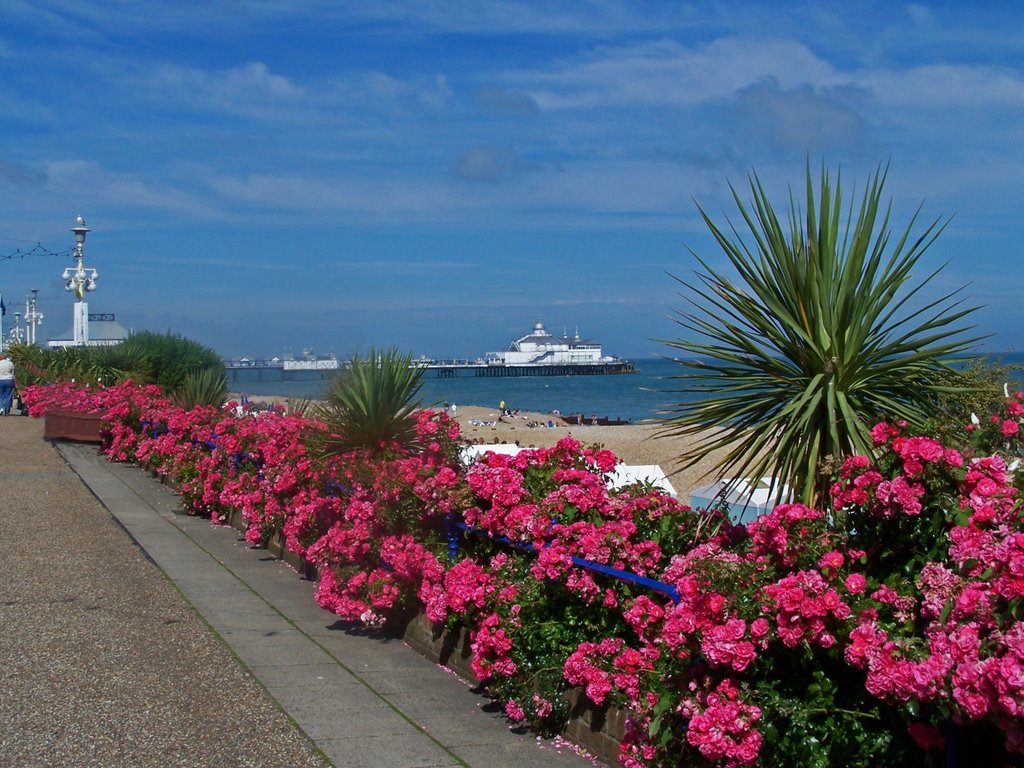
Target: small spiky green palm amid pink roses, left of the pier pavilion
x,y
371,405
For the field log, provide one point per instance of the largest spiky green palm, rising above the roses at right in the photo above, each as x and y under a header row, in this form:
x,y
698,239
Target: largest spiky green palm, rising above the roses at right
x,y
821,336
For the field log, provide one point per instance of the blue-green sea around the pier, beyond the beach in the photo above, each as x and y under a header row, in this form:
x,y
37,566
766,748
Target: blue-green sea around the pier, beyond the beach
x,y
645,397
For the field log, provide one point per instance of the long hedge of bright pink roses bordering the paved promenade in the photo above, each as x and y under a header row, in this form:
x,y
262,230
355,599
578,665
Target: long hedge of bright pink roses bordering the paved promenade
x,y
885,630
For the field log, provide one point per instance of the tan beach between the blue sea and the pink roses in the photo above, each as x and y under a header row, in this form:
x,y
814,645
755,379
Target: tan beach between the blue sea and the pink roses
x,y
634,444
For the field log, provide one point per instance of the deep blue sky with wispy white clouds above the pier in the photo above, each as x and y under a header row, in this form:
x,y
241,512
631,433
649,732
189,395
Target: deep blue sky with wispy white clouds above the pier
x,y
267,177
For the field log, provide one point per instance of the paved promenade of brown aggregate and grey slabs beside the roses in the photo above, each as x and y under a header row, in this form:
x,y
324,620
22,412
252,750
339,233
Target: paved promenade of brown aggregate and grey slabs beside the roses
x,y
110,664
